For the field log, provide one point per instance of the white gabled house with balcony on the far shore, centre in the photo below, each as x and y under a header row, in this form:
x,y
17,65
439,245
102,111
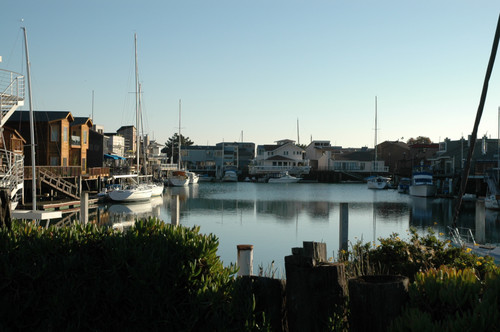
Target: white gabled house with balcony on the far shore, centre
x,y
280,157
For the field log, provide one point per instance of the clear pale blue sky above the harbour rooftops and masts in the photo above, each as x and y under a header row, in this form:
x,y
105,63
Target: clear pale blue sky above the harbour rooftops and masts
x,y
257,66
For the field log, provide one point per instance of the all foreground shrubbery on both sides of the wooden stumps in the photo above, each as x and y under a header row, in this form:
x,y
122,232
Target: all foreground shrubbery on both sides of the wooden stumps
x,y
157,276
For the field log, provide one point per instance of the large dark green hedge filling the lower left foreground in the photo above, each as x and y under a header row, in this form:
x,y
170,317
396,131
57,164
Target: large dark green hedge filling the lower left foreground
x,y
153,277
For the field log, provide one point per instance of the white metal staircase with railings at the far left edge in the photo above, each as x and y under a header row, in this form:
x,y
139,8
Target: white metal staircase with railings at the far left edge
x,y
11,164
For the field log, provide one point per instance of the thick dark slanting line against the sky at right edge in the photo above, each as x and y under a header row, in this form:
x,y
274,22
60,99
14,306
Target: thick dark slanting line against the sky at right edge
x,y
479,113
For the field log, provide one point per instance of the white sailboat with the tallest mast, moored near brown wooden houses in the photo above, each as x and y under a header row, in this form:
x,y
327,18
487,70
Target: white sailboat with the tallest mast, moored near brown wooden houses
x,y
135,192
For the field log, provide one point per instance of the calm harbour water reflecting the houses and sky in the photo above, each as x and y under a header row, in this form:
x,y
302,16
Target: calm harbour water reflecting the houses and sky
x,y
276,217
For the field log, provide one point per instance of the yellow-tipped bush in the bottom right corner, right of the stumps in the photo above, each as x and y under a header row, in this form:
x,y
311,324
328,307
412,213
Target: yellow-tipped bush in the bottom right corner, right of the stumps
x,y
447,299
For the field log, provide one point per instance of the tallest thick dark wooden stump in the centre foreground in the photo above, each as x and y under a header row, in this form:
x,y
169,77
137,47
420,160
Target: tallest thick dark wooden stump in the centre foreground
x,y
315,289
